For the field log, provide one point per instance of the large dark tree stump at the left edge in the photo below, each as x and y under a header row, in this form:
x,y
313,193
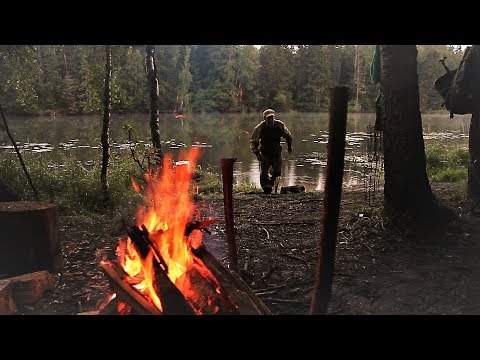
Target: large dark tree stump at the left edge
x,y
29,237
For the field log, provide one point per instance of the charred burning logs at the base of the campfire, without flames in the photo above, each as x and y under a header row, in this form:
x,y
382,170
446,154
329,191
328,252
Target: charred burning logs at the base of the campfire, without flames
x,y
224,293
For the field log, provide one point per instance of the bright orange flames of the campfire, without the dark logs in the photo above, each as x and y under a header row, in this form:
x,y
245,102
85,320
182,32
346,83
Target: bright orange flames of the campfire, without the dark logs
x,y
166,217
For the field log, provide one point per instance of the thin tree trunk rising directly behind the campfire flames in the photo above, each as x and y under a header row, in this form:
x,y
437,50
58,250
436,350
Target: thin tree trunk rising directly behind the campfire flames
x,y
153,90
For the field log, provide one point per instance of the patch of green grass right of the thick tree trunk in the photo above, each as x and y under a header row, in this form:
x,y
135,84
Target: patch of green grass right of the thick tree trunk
x,y
446,163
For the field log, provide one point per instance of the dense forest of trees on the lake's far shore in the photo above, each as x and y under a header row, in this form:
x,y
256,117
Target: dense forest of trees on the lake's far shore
x,y
68,79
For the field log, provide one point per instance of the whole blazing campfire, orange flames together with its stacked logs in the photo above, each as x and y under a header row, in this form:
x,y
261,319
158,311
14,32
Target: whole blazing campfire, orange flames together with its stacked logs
x,y
162,266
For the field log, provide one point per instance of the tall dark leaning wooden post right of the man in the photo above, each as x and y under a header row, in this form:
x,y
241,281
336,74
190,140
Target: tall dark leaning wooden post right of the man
x,y
331,200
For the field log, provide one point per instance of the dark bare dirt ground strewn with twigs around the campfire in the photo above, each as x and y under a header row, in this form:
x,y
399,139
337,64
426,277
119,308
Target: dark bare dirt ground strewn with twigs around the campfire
x,y
376,271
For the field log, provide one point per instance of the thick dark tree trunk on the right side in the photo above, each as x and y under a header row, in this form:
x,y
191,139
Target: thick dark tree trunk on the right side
x,y
407,188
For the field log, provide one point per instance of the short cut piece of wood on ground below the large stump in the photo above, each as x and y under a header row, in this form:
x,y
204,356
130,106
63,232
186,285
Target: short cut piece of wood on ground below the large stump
x,y
29,288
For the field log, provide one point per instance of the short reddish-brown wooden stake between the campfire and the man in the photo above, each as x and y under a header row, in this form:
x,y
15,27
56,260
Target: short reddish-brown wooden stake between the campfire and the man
x,y
227,175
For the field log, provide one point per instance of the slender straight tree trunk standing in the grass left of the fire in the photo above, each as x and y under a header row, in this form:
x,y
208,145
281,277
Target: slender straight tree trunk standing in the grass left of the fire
x,y
106,122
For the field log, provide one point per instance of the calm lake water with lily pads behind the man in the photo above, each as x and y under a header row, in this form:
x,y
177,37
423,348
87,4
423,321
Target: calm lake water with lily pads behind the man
x,y
219,135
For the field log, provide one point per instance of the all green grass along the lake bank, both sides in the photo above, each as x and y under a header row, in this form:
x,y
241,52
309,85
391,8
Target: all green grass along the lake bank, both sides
x,y
76,188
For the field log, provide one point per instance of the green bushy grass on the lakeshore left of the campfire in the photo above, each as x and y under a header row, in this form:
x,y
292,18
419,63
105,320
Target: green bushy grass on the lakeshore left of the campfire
x,y
73,187
